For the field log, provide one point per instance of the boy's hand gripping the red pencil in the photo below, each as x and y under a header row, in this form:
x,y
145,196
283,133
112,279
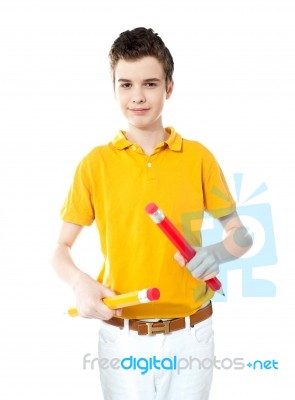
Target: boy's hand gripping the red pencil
x,y
204,265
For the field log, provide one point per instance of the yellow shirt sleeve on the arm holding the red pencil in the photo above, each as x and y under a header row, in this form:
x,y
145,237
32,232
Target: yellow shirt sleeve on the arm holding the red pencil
x,y
217,197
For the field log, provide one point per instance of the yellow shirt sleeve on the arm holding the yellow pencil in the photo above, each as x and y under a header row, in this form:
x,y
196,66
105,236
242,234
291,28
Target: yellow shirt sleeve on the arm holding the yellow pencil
x,y
78,206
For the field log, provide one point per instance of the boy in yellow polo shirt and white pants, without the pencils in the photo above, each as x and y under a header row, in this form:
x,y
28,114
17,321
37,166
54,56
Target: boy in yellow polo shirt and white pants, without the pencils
x,y
112,185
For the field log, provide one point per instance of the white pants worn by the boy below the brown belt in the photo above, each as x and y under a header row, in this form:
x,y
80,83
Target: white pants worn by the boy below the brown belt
x,y
172,366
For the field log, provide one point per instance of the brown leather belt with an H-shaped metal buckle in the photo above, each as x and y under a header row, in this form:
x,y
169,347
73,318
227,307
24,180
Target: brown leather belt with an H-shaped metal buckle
x,y
175,324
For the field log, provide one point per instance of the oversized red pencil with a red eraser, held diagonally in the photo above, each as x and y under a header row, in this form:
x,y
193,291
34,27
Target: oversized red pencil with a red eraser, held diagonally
x,y
185,249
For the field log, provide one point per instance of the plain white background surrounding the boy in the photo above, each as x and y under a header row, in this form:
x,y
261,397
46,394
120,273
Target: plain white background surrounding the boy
x,y
234,92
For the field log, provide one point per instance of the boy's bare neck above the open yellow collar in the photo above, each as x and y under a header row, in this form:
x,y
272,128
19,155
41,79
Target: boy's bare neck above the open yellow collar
x,y
147,138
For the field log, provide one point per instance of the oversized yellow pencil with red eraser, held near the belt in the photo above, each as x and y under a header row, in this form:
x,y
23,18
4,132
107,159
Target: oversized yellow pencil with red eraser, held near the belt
x,y
126,299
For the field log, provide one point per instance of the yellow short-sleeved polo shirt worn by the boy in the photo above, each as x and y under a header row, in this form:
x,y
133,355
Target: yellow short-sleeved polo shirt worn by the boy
x,y
114,183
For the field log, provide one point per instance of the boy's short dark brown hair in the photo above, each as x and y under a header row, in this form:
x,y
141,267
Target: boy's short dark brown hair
x,y
139,43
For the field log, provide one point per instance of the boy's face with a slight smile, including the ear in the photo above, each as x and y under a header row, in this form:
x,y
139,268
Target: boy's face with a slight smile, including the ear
x,y
140,89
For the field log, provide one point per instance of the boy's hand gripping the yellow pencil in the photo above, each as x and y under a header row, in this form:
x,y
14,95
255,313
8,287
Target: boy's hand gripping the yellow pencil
x,y
89,294
